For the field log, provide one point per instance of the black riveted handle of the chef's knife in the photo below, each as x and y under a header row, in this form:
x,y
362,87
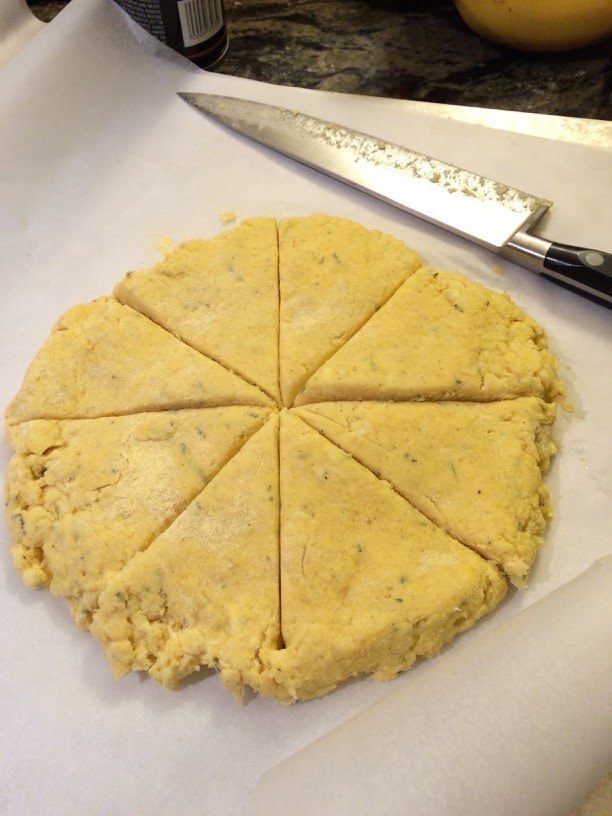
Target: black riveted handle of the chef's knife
x,y
589,270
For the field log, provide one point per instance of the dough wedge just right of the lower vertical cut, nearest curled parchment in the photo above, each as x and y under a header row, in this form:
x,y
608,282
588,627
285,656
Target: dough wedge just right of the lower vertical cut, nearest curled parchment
x,y
368,584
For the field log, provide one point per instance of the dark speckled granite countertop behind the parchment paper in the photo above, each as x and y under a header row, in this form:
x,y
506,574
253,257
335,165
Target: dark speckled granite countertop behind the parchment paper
x,y
419,50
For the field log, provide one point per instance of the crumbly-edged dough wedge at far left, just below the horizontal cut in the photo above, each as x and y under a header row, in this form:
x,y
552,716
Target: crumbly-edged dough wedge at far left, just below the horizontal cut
x,y
84,495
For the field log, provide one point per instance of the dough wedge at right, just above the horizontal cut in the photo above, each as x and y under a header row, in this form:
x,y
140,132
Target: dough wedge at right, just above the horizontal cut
x,y
440,337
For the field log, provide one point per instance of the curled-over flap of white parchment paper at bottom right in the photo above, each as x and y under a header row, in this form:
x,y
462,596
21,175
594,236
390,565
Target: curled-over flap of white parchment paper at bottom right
x,y
505,727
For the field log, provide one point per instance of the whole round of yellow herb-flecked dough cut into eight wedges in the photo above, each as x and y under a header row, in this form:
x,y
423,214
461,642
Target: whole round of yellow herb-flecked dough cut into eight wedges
x,y
290,453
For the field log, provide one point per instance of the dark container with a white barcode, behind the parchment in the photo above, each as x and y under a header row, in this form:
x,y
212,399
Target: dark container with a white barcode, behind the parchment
x,y
194,28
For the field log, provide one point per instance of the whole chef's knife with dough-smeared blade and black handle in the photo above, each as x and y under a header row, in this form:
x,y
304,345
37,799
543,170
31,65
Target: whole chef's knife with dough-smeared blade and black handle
x,y
487,212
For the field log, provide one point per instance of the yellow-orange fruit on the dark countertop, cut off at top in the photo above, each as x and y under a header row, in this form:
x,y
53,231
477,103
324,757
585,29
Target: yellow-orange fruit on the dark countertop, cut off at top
x,y
539,25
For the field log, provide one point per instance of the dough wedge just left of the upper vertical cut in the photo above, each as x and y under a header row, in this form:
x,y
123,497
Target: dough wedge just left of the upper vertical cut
x,y
219,296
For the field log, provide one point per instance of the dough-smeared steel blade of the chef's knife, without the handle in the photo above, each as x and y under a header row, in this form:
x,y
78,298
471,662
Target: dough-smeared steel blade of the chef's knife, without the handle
x,y
480,209
